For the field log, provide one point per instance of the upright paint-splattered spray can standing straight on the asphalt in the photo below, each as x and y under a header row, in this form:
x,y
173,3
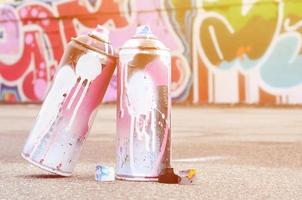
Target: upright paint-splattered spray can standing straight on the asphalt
x,y
143,108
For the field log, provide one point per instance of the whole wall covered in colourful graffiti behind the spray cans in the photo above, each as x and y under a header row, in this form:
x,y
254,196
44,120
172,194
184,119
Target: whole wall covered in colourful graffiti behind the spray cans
x,y
223,51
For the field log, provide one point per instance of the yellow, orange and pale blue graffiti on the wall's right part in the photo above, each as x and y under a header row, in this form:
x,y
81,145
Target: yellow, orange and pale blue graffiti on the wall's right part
x,y
243,51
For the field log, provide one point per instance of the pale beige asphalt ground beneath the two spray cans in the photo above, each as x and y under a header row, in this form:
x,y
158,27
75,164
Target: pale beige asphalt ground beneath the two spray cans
x,y
239,153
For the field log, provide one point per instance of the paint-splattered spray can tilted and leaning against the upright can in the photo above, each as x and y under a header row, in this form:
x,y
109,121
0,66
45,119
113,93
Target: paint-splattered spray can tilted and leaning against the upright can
x,y
68,111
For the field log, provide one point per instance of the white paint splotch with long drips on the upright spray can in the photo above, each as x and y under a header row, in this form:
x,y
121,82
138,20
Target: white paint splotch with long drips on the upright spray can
x,y
139,97
